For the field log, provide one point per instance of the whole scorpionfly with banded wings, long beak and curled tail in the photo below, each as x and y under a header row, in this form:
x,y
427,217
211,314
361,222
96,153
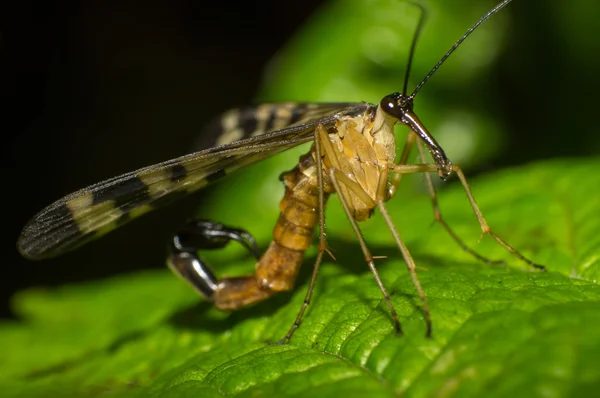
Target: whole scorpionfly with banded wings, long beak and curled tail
x,y
353,154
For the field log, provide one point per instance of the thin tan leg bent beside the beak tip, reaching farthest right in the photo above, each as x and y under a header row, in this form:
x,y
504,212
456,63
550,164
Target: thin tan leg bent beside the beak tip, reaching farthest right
x,y
428,168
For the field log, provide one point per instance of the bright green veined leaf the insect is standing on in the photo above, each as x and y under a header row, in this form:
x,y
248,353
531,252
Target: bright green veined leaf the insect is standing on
x,y
497,330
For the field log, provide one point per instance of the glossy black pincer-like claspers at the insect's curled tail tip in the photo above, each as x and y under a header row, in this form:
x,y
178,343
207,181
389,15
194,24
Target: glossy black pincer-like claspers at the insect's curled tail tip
x,y
203,235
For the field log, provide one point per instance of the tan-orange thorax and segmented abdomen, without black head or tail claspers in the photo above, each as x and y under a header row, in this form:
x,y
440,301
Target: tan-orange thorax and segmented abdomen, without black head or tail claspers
x,y
361,148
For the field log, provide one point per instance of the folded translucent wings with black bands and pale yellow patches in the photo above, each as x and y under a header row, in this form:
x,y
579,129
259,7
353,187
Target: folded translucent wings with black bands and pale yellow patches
x,y
93,211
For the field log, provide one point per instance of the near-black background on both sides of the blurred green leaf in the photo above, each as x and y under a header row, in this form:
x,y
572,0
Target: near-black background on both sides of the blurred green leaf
x,y
91,89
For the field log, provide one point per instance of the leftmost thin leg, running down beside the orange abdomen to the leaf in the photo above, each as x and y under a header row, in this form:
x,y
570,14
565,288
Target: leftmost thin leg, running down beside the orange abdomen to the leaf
x,y
320,130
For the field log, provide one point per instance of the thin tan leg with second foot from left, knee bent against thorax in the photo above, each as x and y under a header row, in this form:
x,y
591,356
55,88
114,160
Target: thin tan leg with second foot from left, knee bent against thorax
x,y
337,179
